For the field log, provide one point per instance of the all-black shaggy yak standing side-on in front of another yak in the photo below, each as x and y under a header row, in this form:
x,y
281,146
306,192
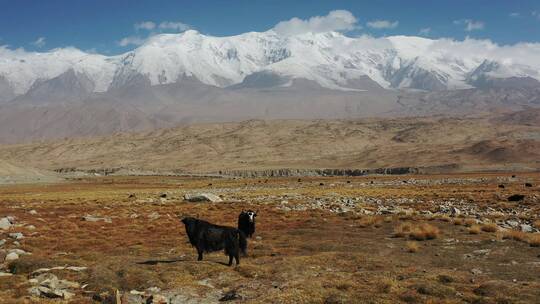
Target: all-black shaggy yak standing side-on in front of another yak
x,y
207,237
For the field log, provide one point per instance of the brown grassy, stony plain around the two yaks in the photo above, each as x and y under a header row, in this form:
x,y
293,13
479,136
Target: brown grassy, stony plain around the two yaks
x,y
371,239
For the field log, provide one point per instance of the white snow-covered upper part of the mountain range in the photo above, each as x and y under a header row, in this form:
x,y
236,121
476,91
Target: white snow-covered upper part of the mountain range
x,y
332,60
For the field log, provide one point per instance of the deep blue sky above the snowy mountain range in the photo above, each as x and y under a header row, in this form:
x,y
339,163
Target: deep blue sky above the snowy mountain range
x,y
115,26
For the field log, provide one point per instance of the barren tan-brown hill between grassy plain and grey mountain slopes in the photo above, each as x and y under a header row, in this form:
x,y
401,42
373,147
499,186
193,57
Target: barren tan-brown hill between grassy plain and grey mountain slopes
x,y
472,143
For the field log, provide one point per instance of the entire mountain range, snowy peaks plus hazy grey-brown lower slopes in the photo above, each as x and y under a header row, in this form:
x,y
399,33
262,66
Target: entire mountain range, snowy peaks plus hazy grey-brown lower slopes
x,y
190,77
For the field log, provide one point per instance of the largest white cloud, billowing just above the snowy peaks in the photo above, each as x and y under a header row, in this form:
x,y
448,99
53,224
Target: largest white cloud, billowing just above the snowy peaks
x,y
338,20
